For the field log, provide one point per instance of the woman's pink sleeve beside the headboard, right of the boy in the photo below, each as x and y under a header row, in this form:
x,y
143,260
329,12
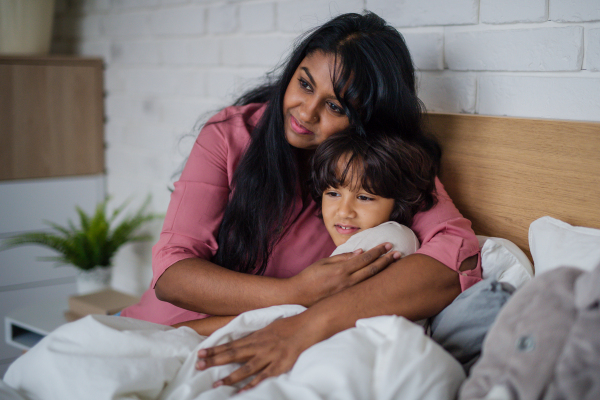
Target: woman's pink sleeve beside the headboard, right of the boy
x,y
446,236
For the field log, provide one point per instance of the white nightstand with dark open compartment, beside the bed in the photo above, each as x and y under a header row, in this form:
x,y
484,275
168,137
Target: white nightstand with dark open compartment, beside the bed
x,y
26,326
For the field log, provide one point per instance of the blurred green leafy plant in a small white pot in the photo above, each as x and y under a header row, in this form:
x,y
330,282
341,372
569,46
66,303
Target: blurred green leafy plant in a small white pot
x,y
89,247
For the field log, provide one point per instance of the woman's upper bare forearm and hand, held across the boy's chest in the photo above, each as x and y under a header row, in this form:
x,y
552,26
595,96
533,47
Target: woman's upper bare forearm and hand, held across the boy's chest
x,y
202,286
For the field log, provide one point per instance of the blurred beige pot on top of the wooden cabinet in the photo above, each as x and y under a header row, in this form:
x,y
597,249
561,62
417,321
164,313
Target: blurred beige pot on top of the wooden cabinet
x,y
26,26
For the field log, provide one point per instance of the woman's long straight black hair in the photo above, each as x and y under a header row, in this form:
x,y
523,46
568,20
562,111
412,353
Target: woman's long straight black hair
x,y
374,67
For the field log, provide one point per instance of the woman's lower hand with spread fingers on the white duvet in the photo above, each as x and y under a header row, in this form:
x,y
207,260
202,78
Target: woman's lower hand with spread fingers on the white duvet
x,y
268,352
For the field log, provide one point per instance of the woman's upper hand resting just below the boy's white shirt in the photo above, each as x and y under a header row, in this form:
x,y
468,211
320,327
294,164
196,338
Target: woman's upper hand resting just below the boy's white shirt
x,y
331,275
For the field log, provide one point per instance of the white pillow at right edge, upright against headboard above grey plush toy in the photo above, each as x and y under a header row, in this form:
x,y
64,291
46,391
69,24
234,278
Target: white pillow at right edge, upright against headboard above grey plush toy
x,y
555,243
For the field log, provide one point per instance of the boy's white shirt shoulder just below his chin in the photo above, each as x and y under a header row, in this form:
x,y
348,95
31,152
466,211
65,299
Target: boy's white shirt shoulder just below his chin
x,y
402,238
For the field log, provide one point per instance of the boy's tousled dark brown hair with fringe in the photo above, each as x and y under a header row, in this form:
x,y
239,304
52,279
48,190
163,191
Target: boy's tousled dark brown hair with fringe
x,y
382,164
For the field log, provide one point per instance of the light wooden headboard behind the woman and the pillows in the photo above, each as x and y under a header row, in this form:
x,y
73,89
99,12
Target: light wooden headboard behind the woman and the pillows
x,y
503,173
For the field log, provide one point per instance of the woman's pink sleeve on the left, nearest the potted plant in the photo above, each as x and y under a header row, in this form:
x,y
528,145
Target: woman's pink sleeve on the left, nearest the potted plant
x,y
200,196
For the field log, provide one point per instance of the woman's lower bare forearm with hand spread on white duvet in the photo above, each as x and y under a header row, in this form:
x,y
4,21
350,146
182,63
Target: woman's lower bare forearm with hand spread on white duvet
x,y
415,287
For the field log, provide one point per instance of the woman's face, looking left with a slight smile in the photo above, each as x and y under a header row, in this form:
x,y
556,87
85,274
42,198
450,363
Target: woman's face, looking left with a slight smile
x,y
311,111
